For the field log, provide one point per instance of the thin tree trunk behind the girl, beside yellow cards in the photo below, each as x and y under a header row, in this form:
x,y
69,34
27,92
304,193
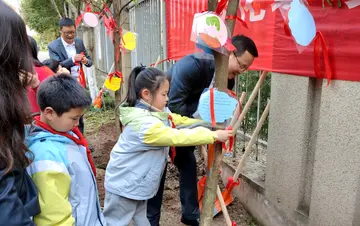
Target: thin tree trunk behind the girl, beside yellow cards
x,y
118,64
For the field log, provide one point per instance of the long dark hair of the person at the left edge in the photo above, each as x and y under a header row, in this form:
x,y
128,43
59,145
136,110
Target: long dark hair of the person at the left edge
x,y
14,58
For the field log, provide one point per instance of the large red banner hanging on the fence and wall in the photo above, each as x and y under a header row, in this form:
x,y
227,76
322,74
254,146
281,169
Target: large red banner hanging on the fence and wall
x,y
277,51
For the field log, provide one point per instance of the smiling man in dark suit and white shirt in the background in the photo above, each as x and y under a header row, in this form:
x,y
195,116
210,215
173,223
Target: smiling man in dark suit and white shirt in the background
x,y
67,50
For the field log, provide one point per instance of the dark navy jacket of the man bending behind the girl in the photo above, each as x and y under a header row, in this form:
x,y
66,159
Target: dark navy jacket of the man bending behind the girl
x,y
189,77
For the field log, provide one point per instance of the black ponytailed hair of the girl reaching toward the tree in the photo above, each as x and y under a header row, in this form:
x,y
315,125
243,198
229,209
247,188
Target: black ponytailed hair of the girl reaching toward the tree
x,y
143,78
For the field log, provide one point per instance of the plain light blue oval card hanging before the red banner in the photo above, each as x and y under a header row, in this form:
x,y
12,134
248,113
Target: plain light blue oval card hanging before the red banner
x,y
301,23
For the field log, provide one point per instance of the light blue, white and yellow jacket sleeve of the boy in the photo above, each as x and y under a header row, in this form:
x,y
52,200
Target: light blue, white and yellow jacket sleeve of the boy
x,y
52,179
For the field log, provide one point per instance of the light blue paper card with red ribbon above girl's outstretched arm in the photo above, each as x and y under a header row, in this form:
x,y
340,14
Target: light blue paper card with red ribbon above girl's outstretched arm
x,y
223,106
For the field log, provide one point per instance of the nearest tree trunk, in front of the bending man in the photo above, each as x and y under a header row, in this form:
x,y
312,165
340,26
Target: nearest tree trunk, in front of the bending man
x,y
221,72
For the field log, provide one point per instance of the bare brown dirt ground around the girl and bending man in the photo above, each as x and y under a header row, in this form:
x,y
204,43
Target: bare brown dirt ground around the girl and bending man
x,y
101,135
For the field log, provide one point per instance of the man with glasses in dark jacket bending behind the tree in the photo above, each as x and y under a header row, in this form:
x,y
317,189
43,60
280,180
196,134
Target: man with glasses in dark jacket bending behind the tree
x,y
189,77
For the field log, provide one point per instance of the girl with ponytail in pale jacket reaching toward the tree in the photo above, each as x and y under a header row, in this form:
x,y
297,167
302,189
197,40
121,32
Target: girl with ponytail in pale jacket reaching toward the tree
x,y
138,159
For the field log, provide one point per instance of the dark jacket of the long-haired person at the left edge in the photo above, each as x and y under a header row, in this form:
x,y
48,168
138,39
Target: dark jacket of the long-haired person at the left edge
x,y
18,198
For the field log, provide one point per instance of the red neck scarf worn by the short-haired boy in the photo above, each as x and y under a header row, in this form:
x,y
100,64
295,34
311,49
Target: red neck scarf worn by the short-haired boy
x,y
79,141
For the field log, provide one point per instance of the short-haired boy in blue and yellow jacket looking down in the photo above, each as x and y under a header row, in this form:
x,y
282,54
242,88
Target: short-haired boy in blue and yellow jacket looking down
x,y
62,169
